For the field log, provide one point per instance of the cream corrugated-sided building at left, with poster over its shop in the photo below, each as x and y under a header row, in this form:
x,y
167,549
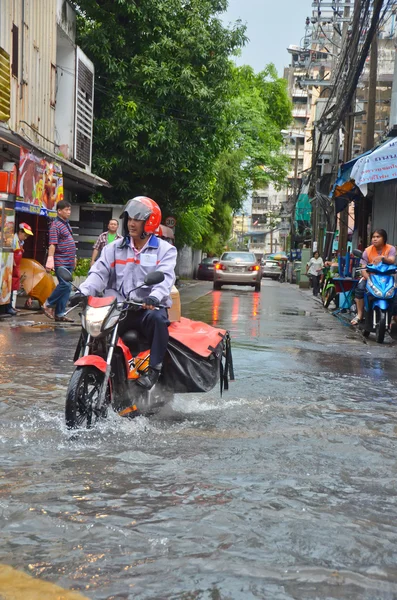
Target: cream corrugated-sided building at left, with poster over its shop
x,y
46,111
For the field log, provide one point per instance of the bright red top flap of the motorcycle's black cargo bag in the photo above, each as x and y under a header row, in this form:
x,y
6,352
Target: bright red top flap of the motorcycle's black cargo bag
x,y
199,337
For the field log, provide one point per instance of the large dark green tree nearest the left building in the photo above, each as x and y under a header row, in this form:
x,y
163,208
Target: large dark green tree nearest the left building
x,y
162,86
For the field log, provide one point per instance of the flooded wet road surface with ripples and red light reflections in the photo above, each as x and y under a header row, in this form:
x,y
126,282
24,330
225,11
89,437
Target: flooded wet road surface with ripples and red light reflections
x,y
284,488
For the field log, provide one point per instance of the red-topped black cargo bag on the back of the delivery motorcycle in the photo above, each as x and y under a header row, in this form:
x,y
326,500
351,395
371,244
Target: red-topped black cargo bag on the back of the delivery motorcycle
x,y
193,361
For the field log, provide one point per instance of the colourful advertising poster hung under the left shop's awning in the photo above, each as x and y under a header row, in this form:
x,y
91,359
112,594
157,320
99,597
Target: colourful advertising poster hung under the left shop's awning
x,y
40,185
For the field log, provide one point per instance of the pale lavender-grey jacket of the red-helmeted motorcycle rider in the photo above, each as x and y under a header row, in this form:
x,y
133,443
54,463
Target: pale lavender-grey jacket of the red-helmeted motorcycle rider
x,y
120,269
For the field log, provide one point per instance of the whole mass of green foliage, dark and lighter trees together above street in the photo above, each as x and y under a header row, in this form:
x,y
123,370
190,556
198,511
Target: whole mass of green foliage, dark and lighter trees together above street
x,y
174,118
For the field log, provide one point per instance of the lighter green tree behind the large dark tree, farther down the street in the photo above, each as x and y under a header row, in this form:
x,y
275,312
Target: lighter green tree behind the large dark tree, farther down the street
x,y
259,109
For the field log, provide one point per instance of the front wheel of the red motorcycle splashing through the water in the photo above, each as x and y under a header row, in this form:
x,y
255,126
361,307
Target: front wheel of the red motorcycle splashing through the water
x,y
82,395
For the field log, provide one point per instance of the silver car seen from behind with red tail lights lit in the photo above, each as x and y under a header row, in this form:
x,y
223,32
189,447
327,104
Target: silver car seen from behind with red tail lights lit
x,y
238,268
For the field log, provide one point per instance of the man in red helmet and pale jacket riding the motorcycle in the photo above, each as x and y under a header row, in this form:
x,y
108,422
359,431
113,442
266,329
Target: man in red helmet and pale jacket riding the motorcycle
x,y
122,267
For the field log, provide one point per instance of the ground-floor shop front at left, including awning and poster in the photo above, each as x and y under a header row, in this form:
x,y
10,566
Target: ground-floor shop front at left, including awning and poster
x,y
32,182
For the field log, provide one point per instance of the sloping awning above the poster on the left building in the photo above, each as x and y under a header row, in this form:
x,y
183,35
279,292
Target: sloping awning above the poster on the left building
x,y
75,178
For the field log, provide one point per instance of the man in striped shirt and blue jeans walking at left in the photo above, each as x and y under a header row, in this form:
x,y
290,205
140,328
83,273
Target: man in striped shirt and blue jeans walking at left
x,y
61,253
